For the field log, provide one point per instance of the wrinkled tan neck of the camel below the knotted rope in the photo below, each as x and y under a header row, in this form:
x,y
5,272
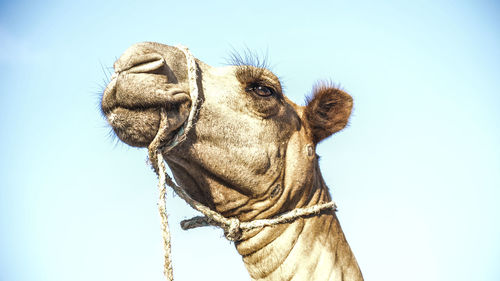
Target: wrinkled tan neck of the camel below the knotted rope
x,y
312,248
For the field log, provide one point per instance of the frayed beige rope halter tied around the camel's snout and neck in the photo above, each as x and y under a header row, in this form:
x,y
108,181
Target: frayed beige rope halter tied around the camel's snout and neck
x,y
233,227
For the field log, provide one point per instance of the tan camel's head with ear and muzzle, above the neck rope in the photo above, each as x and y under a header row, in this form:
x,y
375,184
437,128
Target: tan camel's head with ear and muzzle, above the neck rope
x,y
251,151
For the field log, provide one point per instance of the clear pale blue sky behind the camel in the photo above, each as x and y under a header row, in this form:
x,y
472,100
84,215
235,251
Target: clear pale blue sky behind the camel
x,y
416,175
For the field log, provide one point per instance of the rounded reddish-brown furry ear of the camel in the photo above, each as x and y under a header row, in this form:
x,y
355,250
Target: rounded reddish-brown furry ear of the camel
x,y
327,111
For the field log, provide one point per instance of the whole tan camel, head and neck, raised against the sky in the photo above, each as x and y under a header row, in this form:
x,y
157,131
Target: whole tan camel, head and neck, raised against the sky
x,y
249,155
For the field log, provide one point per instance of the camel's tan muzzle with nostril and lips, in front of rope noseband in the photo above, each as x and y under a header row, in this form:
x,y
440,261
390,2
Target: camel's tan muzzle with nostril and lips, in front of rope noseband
x,y
144,83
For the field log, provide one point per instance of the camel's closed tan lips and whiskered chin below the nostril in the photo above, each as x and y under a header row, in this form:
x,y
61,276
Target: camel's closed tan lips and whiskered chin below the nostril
x,y
133,111
